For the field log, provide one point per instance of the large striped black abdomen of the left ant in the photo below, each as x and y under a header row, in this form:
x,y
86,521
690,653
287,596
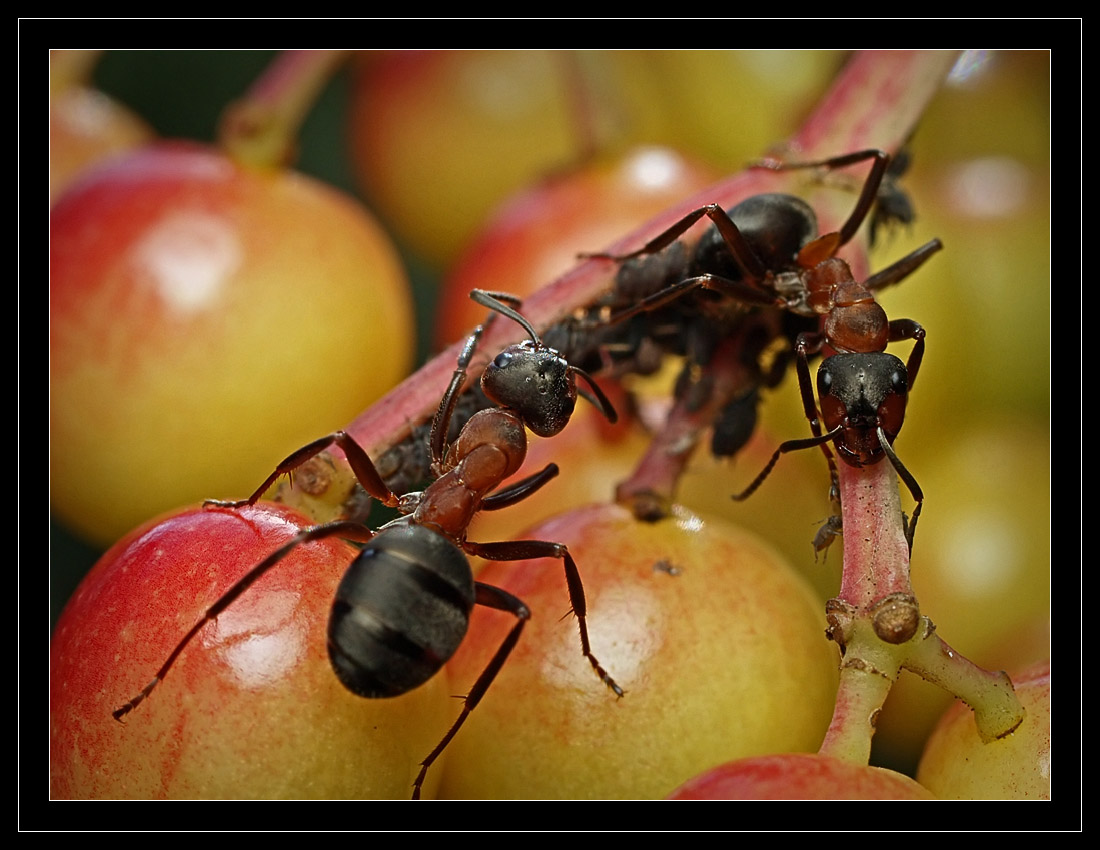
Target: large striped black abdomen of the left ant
x,y
401,612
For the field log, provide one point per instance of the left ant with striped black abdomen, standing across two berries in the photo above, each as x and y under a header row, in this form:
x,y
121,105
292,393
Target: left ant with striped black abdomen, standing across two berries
x,y
381,644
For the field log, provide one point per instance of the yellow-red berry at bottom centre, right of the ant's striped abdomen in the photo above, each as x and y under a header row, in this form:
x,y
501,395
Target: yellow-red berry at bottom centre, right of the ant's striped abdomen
x,y
716,642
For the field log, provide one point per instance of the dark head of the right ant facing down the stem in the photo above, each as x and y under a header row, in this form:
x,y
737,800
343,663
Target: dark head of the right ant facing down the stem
x,y
863,392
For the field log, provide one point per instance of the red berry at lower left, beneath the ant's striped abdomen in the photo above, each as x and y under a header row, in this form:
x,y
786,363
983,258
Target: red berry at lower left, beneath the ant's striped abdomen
x,y
252,709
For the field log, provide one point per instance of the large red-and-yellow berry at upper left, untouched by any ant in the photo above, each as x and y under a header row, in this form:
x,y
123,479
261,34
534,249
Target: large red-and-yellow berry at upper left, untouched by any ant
x,y
204,319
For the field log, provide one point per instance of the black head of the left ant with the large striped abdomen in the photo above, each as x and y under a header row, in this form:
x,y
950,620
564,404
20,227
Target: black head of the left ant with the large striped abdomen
x,y
535,382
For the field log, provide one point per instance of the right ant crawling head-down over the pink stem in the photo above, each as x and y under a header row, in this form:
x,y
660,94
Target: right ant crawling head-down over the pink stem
x,y
765,252
